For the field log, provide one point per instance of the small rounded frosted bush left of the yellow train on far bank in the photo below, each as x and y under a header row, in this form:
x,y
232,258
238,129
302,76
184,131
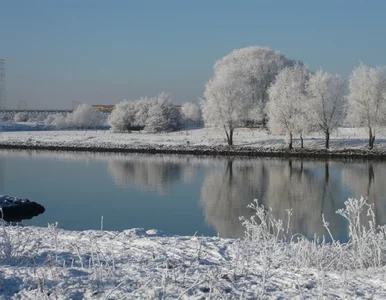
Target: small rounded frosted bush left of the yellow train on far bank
x,y
84,116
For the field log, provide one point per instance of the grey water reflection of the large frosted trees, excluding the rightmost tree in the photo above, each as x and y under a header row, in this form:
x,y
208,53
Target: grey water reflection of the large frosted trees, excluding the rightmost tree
x,y
306,188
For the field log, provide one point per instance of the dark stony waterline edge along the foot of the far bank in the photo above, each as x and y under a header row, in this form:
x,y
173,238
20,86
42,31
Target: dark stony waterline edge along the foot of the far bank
x,y
240,151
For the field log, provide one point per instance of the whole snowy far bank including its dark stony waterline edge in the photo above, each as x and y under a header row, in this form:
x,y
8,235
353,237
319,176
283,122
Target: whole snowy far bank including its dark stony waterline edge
x,y
346,142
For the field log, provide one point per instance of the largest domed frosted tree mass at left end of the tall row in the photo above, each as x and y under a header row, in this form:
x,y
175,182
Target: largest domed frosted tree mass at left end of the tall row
x,y
237,92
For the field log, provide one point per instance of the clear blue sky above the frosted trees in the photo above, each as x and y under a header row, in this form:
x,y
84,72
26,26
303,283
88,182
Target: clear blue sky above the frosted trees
x,y
100,52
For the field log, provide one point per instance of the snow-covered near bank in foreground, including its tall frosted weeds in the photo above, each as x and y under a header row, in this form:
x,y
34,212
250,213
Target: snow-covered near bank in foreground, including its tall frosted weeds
x,y
51,263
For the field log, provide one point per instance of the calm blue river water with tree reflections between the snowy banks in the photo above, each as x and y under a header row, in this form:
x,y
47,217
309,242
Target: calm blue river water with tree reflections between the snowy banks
x,y
185,194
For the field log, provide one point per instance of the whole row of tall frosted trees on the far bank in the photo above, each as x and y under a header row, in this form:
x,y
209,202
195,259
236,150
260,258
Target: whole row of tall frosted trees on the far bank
x,y
259,84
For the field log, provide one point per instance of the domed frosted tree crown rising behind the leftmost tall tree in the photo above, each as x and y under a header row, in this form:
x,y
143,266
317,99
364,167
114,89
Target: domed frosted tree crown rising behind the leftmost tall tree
x,y
257,67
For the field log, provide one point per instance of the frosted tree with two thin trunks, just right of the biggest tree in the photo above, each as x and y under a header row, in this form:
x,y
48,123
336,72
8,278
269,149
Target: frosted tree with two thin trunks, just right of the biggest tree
x,y
286,108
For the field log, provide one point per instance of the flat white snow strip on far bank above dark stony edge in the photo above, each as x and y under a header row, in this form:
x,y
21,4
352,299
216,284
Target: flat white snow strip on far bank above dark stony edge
x,y
345,139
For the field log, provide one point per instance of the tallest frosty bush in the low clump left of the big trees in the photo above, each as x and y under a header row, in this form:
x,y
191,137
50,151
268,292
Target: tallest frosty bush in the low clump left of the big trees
x,y
162,115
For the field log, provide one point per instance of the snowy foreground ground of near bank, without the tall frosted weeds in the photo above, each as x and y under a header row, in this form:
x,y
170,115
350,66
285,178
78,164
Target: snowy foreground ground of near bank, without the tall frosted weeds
x,y
135,264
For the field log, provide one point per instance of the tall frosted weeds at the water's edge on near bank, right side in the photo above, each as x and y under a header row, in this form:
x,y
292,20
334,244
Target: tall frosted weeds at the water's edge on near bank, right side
x,y
365,248
